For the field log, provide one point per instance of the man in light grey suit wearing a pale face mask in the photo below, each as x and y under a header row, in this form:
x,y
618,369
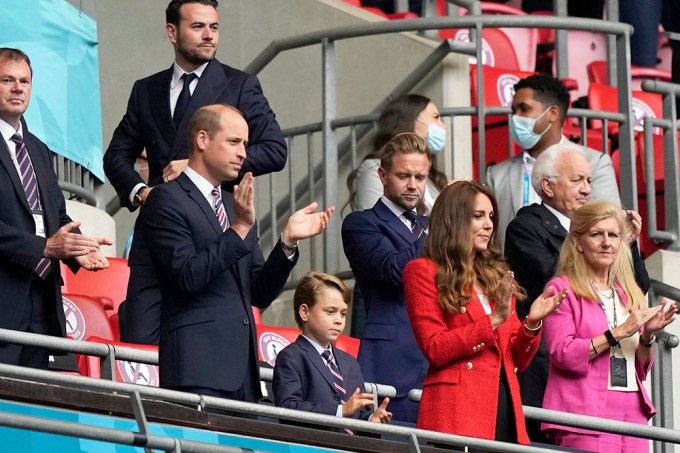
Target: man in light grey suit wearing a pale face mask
x,y
539,109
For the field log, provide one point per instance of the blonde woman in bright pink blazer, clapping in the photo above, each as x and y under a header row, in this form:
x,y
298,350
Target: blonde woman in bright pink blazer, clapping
x,y
602,324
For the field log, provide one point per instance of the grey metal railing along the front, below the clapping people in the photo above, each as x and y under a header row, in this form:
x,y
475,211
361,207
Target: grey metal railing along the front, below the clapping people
x,y
662,375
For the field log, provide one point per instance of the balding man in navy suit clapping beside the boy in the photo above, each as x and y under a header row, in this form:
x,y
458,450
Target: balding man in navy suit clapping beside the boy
x,y
209,264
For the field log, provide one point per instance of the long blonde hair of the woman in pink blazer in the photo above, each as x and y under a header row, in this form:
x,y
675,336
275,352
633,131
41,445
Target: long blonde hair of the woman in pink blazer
x,y
573,263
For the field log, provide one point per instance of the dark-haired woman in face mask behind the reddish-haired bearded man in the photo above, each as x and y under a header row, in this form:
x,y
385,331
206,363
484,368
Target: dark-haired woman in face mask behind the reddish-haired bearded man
x,y
409,113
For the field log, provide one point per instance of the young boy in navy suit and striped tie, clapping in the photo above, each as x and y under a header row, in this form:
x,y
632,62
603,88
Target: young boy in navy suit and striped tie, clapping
x,y
311,374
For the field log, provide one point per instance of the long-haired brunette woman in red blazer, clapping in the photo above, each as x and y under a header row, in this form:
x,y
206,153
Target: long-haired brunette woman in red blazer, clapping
x,y
461,302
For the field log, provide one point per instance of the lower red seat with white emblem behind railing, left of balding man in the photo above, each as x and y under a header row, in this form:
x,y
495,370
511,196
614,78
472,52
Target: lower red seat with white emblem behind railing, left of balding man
x,y
126,371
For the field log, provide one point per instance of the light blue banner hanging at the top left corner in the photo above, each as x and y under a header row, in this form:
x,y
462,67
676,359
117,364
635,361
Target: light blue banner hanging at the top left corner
x,y
65,110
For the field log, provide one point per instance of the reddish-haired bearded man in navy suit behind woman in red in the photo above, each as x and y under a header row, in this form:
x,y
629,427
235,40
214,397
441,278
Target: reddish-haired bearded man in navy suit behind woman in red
x,y
378,243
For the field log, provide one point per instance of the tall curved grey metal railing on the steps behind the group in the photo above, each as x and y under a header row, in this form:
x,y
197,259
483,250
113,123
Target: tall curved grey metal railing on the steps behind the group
x,y
333,154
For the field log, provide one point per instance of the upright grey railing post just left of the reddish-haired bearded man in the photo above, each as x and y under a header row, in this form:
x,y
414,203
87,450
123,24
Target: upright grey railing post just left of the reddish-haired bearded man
x,y
331,237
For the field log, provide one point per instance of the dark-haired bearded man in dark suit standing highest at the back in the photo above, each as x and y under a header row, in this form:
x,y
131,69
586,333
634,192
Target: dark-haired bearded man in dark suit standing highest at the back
x,y
156,120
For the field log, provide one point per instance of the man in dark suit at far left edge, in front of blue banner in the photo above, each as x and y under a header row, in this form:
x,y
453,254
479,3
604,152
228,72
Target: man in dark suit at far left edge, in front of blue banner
x,y
35,231
